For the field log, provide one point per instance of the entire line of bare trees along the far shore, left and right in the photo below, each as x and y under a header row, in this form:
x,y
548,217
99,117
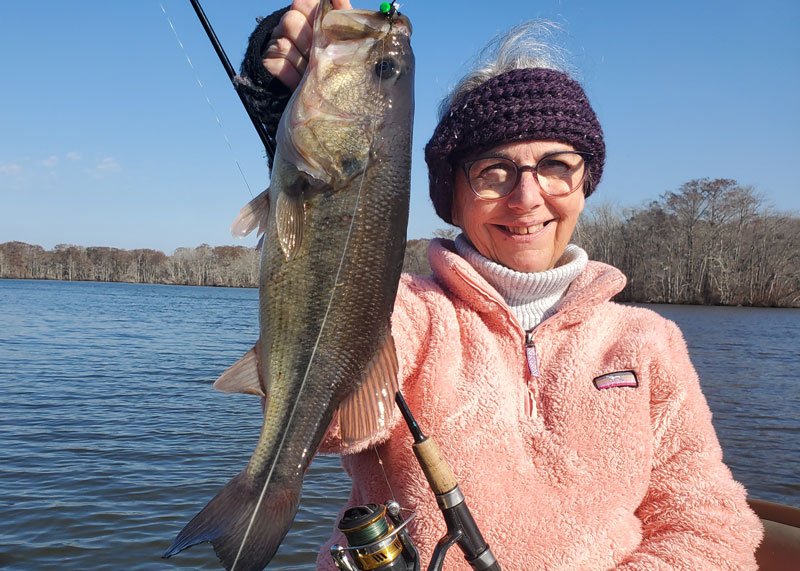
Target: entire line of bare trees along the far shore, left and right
x,y
711,242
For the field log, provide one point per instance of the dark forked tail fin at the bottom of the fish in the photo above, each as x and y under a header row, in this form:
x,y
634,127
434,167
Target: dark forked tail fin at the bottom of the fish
x,y
226,523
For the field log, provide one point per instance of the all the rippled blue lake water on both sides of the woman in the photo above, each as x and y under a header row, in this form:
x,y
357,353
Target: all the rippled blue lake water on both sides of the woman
x,y
111,437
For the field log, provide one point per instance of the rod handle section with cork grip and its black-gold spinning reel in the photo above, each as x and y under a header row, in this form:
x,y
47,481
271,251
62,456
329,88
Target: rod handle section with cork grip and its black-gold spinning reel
x,y
383,547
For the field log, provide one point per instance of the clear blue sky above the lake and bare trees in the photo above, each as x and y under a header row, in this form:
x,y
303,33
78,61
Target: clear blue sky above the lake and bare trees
x,y
108,140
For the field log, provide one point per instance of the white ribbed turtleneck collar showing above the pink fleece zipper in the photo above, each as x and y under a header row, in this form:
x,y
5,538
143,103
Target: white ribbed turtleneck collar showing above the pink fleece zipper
x,y
532,297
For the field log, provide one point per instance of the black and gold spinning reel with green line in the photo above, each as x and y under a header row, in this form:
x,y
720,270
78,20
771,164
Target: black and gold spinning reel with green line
x,y
377,540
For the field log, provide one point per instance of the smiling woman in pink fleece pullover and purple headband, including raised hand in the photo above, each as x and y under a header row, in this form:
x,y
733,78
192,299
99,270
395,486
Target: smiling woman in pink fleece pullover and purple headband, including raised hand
x,y
576,426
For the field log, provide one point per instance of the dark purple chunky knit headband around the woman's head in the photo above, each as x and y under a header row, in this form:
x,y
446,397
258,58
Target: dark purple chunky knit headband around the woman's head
x,y
531,103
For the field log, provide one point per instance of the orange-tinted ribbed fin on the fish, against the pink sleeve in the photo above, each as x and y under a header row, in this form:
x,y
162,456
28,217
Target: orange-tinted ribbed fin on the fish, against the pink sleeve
x,y
369,408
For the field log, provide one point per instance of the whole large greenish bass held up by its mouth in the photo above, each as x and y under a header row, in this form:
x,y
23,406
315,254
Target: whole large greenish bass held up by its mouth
x,y
334,222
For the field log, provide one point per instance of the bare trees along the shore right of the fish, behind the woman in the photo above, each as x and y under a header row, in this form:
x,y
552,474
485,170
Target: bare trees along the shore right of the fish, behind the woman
x,y
711,242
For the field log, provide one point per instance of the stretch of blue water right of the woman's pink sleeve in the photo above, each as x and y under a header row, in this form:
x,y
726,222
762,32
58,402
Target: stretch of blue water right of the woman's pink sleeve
x,y
748,361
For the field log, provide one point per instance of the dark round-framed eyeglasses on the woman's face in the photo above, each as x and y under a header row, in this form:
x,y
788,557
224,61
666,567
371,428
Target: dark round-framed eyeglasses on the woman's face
x,y
558,174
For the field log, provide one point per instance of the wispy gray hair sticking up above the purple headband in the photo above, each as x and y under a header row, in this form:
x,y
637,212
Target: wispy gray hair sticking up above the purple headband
x,y
530,44
